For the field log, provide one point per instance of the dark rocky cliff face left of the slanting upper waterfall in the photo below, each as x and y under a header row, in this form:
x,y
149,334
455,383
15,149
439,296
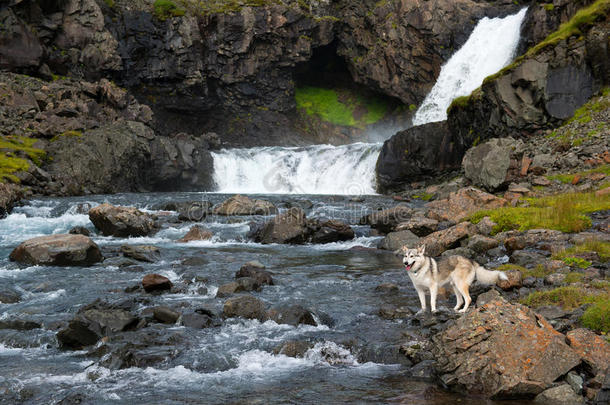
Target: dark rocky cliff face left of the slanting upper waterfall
x,y
123,79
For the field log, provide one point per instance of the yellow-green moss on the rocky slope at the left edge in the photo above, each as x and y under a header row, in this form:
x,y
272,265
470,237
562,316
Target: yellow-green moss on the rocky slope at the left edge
x,y
14,154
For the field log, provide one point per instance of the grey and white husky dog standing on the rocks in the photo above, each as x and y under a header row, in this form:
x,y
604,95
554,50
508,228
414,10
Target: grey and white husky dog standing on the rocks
x,y
460,272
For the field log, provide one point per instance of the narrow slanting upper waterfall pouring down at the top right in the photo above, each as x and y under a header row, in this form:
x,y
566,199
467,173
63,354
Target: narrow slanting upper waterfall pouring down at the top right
x,y
490,47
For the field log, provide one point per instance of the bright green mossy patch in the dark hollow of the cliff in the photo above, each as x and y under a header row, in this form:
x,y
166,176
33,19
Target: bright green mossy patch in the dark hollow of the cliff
x,y
340,106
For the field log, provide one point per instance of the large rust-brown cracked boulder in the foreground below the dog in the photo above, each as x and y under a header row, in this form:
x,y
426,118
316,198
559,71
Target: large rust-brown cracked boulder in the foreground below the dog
x,y
501,350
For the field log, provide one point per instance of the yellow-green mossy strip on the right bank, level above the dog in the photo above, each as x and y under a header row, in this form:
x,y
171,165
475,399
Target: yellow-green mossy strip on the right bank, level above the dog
x,y
562,212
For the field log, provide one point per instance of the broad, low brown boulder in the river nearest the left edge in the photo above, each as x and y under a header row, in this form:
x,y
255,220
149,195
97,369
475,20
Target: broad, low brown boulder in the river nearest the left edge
x,y
58,250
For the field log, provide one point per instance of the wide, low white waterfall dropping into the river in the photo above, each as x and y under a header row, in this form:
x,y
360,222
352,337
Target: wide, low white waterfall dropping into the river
x,y
317,169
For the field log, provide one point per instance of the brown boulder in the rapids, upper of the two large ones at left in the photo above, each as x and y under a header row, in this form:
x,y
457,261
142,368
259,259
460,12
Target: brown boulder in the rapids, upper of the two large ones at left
x,y
122,221
